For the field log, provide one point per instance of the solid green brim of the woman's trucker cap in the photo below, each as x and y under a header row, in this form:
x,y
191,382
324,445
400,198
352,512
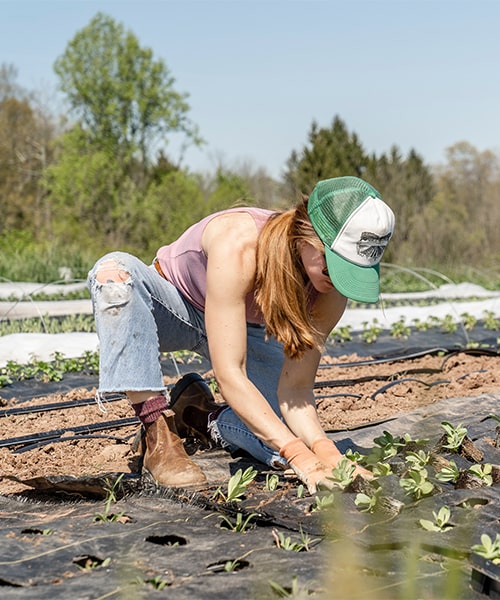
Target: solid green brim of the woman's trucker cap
x,y
354,282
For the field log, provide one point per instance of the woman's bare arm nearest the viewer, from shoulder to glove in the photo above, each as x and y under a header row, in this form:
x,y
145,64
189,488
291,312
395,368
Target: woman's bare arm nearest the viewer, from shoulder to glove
x,y
229,242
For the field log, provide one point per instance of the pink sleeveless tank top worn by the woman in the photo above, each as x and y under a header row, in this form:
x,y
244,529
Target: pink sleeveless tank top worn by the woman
x,y
184,262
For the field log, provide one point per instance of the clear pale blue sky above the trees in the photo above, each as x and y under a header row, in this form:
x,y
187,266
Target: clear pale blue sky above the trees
x,y
420,74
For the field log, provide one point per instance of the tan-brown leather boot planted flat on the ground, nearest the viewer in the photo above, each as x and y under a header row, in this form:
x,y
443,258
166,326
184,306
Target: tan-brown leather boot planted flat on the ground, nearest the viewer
x,y
165,457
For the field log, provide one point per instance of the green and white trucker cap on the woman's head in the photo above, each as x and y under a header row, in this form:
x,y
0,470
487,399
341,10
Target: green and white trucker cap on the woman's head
x,y
355,225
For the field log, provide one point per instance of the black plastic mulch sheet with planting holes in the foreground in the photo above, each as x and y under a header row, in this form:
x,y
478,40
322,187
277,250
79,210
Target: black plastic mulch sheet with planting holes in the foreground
x,y
54,545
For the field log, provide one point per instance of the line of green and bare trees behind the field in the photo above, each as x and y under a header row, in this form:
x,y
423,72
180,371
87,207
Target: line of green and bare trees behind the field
x,y
99,176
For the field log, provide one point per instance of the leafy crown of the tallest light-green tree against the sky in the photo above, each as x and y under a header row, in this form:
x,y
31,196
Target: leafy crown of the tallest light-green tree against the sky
x,y
121,96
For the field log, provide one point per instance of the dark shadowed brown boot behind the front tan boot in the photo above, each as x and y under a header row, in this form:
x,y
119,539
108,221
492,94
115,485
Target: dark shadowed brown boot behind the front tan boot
x,y
192,403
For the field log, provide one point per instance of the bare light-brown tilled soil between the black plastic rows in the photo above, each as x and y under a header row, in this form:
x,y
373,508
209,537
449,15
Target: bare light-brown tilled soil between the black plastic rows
x,y
351,391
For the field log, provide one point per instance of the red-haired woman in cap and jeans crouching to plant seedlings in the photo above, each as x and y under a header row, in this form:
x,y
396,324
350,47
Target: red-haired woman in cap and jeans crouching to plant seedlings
x,y
257,292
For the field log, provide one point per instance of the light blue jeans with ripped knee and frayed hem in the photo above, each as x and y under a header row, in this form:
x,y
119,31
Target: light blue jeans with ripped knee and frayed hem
x,y
144,315
